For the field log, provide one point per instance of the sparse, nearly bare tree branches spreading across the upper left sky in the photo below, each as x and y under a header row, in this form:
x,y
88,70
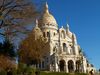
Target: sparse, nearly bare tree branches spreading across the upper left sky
x,y
15,15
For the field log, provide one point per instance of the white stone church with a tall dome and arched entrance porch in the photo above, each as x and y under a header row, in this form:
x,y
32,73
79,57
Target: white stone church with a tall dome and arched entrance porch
x,y
64,53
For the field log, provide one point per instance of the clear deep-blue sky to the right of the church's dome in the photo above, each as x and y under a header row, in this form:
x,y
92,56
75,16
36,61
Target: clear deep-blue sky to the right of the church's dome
x,y
84,21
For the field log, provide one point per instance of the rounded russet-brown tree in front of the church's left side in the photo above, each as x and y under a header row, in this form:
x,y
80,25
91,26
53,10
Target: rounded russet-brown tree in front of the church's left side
x,y
33,49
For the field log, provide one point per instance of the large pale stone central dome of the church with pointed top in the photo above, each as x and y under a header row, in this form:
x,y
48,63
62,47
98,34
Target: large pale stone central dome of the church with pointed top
x,y
46,18
